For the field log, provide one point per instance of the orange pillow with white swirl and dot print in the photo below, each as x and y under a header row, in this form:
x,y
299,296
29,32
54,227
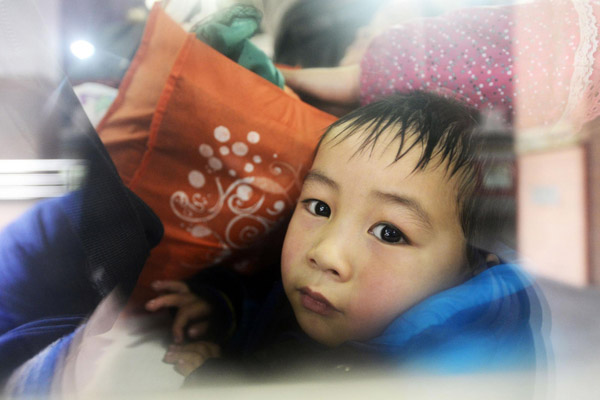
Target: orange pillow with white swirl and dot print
x,y
223,161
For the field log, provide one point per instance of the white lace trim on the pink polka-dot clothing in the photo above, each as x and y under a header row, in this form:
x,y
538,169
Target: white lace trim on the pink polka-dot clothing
x,y
583,63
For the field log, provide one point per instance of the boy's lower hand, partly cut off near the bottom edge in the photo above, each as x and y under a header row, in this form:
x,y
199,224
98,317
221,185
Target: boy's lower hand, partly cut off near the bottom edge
x,y
189,357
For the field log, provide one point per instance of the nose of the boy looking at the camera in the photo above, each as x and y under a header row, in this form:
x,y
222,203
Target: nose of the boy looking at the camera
x,y
330,255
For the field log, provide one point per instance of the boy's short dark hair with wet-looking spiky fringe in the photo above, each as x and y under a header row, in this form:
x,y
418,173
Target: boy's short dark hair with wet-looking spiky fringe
x,y
444,127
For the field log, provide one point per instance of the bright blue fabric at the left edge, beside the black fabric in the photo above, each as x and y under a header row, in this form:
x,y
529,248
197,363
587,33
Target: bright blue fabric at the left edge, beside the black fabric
x,y
43,266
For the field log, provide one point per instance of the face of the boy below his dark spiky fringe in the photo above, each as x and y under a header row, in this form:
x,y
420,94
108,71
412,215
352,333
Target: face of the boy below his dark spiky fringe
x,y
369,239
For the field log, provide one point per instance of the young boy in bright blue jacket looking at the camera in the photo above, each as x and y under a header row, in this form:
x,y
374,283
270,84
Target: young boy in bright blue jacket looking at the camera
x,y
377,262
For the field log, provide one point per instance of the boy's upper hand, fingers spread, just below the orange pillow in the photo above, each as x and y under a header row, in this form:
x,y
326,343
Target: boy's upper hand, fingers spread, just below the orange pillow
x,y
192,311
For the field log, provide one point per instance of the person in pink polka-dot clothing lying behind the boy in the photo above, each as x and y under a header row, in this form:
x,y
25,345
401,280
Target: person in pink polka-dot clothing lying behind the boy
x,y
531,65
